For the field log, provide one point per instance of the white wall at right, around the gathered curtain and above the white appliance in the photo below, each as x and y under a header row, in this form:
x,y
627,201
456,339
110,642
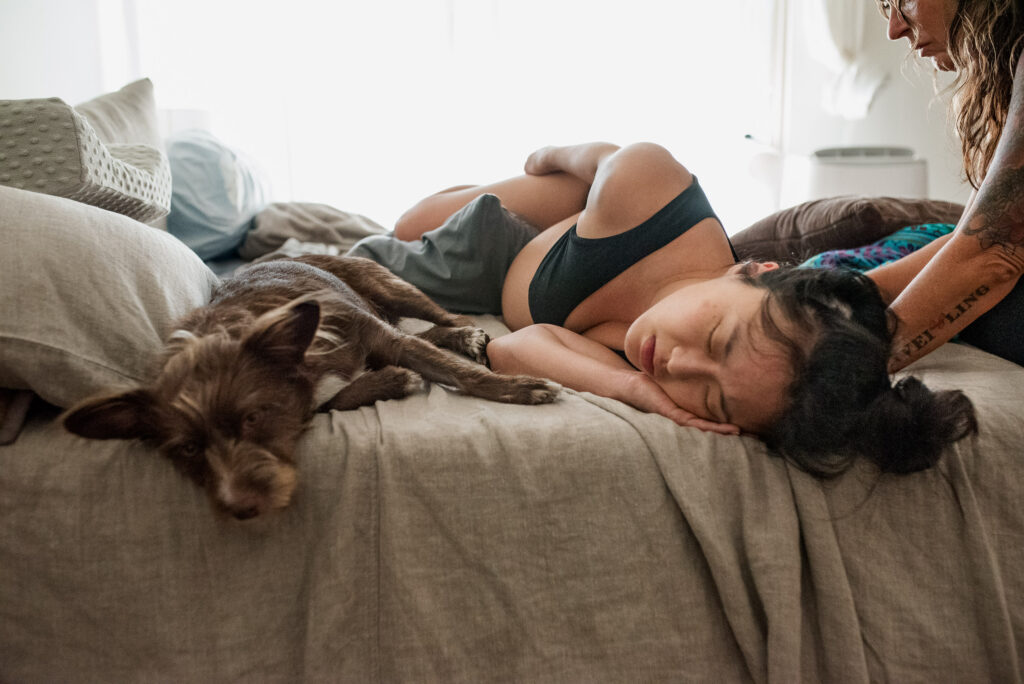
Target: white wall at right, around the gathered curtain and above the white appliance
x,y
905,113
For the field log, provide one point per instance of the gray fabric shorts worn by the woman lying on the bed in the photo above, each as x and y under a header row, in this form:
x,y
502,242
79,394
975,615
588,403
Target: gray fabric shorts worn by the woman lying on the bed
x,y
462,265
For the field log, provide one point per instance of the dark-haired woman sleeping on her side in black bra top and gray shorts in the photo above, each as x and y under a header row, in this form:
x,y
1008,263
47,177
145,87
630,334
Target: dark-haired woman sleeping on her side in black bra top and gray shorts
x,y
633,292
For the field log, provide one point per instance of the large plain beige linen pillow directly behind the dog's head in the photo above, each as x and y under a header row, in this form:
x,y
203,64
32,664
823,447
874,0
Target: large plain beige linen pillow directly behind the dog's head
x,y
87,296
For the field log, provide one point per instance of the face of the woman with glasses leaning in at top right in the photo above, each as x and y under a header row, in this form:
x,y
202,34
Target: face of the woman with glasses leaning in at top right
x,y
925,24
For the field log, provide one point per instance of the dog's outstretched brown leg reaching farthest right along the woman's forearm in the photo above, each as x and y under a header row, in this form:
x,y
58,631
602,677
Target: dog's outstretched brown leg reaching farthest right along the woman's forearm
x,y
413,353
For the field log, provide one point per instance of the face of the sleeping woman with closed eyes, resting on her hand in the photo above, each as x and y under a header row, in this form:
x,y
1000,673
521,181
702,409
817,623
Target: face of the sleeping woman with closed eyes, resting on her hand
x,y
705,348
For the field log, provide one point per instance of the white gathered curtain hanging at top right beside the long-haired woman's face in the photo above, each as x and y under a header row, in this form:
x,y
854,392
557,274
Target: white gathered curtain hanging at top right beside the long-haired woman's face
x,y
835,31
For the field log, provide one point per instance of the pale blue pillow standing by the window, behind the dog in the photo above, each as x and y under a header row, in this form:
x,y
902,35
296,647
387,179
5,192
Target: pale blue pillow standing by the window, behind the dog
x,y
216,194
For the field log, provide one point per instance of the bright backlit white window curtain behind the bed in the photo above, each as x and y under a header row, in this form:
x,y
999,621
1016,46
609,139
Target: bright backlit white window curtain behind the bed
x,y
370,106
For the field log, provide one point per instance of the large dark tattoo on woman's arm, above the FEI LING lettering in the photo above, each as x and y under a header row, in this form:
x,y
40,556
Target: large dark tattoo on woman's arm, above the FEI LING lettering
x,y
999,212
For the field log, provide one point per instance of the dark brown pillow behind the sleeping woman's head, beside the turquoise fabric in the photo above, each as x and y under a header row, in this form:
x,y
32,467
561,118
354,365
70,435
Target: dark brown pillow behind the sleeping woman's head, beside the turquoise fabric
x,y
835,224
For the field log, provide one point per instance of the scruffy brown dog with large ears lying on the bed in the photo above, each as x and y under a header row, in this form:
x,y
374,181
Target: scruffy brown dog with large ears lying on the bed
x,y
243,376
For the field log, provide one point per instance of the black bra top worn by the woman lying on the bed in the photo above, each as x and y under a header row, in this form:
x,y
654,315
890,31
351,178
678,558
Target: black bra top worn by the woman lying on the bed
x,y
577,268
